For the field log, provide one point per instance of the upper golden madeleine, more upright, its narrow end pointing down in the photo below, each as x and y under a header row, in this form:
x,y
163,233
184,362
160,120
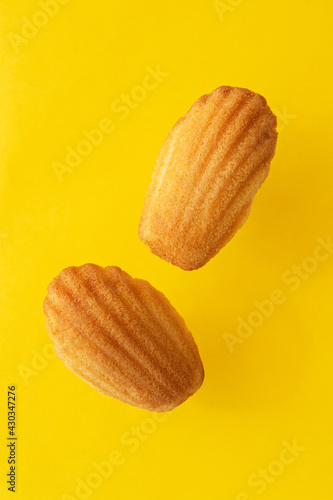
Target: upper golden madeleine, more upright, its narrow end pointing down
x,y
209,169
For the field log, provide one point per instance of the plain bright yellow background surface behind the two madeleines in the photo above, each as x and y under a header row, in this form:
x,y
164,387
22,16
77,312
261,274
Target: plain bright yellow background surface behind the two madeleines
x,y
277,385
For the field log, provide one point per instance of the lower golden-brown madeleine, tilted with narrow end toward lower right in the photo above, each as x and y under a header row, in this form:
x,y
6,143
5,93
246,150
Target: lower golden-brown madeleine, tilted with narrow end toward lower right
x,y
123,337
